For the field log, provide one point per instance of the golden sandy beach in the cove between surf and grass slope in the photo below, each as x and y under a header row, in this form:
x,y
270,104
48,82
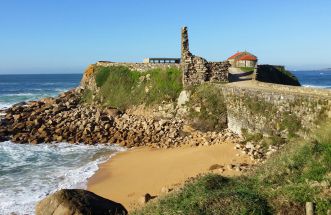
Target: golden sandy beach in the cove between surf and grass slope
x,y
131,174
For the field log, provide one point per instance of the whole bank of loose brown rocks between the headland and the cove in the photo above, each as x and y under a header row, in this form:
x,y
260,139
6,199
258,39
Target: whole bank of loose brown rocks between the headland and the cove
x,y
66,119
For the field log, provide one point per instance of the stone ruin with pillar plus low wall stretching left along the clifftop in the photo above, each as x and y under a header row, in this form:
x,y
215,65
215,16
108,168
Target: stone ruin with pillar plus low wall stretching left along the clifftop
x,y
196,70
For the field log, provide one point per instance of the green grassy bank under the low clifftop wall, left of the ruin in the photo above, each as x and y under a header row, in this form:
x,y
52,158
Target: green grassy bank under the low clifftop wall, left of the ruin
x,y
121,87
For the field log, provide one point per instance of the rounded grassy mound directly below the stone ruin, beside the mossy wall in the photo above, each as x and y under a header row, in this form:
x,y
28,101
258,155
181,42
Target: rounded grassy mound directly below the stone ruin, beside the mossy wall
x,y
207,110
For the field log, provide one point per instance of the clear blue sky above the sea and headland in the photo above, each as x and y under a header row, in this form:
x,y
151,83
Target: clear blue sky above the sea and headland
x,y
49,36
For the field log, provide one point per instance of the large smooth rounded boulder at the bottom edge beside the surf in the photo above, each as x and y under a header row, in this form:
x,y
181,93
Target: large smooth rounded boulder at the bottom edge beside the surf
x,y
78,202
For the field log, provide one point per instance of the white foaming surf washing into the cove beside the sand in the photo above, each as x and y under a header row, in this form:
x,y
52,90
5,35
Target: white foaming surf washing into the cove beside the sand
x,y
28,173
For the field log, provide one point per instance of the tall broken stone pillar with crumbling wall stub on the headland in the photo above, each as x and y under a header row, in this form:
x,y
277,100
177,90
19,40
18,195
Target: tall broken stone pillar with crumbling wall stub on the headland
x,y
197,70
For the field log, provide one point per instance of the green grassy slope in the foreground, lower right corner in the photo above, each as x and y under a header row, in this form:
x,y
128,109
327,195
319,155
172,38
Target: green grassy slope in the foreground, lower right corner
x,y
299,173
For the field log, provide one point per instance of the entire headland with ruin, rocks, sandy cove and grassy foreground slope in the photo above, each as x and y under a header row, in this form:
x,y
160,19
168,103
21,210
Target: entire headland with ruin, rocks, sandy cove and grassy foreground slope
x,y
190,118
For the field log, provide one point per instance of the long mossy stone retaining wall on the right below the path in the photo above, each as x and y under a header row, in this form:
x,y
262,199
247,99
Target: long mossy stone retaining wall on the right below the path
x,y
273,109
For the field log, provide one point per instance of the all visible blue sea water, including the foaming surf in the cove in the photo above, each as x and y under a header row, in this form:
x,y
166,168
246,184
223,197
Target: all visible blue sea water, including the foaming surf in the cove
x,y
28,173
